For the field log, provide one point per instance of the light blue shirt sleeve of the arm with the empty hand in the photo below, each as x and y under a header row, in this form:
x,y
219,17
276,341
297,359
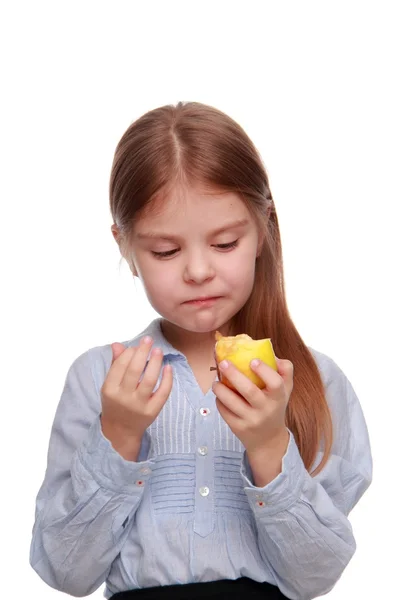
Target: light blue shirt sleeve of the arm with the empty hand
x,y
86,504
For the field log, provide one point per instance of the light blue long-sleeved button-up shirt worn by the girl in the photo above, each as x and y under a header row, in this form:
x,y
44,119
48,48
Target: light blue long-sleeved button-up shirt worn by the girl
x,y
187,510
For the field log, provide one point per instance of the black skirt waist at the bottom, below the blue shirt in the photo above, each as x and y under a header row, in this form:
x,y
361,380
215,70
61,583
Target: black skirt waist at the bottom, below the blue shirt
x,y
231,589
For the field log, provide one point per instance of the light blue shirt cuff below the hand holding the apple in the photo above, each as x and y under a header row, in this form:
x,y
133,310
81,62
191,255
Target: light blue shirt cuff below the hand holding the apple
x,y
282,491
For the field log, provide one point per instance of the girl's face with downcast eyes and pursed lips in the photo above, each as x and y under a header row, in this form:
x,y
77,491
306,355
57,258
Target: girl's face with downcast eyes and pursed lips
x,y
196,257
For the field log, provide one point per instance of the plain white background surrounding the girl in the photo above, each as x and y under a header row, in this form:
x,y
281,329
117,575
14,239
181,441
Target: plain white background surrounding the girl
x,y
315,84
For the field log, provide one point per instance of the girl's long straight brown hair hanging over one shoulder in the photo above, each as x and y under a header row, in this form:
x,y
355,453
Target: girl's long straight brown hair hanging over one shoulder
x,y
198,143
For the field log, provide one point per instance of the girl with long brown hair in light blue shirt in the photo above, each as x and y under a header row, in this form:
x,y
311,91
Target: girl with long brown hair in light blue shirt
x,y
161,481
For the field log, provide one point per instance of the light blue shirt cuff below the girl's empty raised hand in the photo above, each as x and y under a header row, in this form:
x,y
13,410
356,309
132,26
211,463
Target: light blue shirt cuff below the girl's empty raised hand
x,y
109,469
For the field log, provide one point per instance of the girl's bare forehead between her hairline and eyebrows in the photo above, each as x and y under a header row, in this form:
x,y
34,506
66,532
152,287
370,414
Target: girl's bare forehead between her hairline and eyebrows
x,y
186,206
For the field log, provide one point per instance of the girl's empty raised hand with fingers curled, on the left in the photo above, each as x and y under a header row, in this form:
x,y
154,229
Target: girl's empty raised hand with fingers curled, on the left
x,y
129,407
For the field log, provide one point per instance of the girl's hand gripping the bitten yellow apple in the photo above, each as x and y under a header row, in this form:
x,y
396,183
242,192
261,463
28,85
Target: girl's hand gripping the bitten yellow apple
x,y
256,417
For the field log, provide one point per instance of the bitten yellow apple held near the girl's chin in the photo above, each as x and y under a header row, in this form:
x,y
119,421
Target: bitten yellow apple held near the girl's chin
x,y
240,351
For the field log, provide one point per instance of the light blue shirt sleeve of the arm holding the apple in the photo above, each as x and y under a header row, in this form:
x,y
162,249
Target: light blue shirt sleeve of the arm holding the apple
x,y
304,535
